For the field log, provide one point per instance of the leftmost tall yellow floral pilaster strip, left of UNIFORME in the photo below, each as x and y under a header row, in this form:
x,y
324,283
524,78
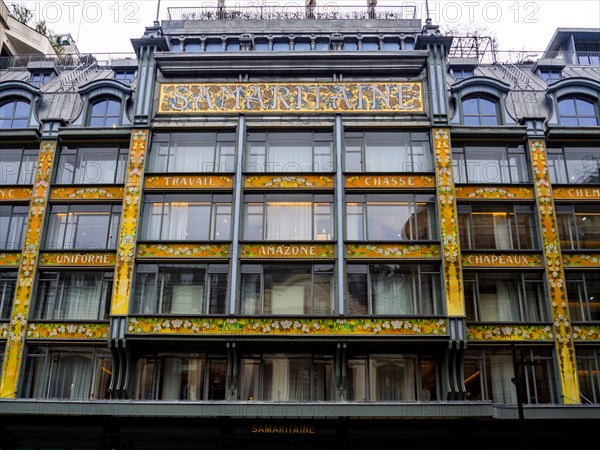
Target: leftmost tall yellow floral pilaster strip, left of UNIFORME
x,y
27,269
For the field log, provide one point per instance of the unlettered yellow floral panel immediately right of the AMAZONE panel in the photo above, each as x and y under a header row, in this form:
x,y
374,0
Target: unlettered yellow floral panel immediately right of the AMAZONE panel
x,y
393,251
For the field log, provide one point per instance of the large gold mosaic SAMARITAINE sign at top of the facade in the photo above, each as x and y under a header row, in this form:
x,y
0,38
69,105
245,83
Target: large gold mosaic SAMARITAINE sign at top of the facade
x,y
194,98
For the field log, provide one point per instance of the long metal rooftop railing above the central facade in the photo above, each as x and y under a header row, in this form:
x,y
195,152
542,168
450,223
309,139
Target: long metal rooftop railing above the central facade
x,y
292,12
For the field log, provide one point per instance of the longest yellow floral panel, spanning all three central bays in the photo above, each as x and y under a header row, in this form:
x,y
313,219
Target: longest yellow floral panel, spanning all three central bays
x,y
261,326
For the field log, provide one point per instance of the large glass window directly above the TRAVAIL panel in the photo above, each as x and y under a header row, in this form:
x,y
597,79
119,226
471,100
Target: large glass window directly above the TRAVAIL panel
x,y
202,151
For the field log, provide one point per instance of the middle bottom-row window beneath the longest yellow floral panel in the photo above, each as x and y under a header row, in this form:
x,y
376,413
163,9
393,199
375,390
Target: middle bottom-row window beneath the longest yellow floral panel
x,y
286,378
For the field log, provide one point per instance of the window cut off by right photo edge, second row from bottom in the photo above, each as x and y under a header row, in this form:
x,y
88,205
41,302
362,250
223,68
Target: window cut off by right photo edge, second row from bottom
x,y
583,294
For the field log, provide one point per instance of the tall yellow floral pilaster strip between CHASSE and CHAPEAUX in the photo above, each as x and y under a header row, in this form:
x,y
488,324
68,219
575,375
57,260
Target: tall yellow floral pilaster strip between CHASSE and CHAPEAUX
x,y
448,223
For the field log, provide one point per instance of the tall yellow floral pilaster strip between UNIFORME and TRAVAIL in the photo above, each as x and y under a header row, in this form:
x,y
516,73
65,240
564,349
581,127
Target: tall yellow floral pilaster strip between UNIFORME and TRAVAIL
x,y
129,222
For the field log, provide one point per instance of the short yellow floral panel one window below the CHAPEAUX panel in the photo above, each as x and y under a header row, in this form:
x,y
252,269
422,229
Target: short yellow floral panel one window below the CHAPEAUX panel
x,y
510,333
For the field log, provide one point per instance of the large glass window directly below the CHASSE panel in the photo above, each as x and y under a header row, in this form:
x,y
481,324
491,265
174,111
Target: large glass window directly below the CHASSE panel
x,y
390,217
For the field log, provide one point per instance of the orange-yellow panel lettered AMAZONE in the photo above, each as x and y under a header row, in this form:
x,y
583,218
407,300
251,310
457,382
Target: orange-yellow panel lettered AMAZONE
x,y
288,251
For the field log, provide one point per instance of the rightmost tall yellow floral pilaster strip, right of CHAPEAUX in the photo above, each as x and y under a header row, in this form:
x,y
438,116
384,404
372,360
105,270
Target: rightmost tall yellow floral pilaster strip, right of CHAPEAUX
x,y
555,276
